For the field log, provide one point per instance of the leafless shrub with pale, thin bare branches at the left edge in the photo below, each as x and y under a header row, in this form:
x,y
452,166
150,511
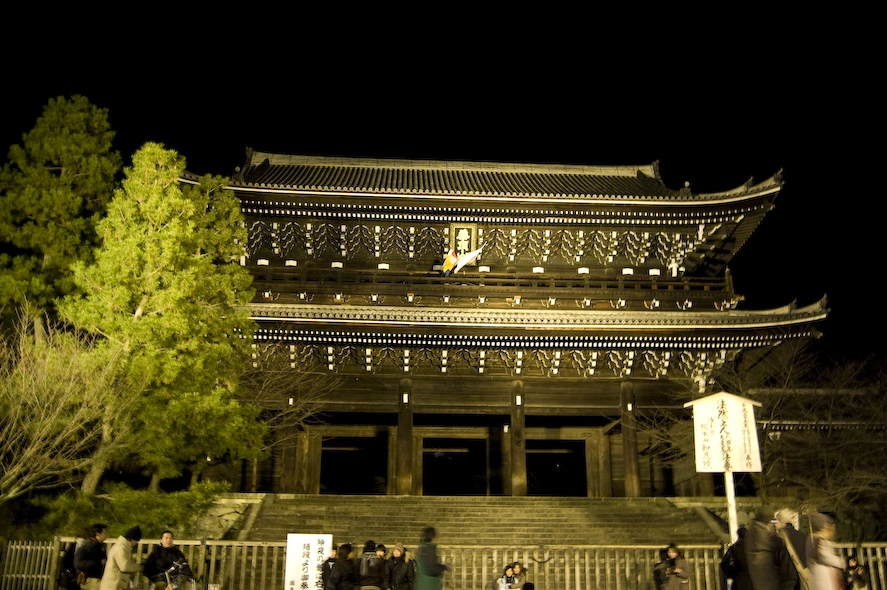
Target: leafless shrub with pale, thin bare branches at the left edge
x,y
53,391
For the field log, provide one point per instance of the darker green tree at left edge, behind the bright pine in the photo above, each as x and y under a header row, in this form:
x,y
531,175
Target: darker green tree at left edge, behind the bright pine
x,y
53,190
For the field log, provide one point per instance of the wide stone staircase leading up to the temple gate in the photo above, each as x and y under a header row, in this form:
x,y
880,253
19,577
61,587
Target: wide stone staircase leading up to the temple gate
x,y
492,521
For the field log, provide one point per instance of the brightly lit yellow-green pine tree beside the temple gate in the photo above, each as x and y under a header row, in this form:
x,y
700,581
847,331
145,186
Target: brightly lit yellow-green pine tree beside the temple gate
x,y
167,285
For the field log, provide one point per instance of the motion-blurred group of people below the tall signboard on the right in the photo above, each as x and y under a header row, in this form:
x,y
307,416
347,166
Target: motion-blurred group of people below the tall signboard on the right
x,y
784,550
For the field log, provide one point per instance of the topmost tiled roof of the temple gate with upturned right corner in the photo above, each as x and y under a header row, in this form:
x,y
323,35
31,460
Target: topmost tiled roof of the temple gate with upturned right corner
x,y
282,174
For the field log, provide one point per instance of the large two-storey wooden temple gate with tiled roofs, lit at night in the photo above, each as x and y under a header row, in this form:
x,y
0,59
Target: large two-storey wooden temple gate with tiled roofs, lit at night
x,y
481,328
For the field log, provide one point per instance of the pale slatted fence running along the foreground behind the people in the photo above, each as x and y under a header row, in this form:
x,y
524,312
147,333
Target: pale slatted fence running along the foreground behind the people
x,y
245,565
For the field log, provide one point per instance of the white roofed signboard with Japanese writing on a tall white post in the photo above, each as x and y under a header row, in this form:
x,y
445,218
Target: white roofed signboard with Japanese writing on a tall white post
x,y
726,439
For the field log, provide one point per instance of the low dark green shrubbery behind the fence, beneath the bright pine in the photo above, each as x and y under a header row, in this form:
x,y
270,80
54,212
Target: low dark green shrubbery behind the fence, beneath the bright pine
x,y
122,507
